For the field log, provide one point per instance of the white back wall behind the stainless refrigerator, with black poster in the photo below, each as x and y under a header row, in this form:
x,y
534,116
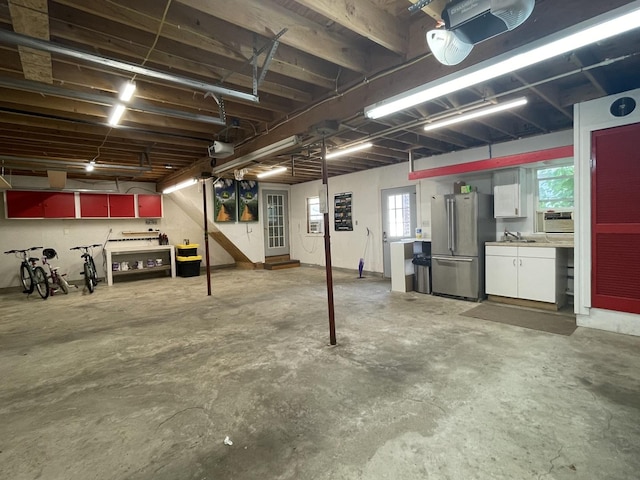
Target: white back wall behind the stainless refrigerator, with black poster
x,y
348,247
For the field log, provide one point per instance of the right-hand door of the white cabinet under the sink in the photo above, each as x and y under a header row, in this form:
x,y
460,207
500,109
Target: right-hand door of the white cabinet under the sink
x,y
537,279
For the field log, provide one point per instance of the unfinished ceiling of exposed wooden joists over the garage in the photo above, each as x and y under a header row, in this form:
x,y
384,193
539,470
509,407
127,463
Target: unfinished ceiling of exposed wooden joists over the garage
x,y
314,61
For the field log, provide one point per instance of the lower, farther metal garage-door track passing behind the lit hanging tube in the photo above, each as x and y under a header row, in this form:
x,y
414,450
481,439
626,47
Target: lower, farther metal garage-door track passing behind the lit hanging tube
x,y
137,105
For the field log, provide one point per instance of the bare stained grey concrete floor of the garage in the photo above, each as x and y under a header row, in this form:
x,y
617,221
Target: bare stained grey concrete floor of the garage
x,y
143,380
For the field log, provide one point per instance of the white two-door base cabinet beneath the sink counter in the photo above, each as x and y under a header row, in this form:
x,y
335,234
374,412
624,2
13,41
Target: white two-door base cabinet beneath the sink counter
x,y
530,273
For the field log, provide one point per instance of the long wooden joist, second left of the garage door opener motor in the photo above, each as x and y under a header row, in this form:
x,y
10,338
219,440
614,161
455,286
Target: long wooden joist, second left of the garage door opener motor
x,y
268,18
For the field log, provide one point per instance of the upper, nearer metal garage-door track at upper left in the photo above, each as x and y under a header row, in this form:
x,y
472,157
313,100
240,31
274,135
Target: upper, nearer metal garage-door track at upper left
x,y
13,38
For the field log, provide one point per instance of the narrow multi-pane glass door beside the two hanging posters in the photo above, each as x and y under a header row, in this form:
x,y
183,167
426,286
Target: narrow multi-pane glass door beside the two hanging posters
x,y
276,222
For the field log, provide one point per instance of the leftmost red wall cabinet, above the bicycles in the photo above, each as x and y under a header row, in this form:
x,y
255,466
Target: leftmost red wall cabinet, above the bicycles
x,y
22,204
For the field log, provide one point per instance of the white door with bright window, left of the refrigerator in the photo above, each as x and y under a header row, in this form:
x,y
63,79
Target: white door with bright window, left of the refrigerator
x,y
398,220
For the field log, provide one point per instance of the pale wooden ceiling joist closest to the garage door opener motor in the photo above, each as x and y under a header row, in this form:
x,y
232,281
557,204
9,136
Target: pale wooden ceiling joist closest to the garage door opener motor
x,y
364,18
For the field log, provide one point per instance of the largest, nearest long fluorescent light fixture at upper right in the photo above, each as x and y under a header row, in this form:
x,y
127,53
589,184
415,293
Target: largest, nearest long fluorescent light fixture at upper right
x,y
594,30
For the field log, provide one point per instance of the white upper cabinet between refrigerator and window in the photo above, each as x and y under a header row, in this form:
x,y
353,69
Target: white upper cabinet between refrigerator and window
x,y
509,195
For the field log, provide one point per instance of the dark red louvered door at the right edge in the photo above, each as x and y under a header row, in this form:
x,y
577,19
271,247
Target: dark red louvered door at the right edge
x,y
615,219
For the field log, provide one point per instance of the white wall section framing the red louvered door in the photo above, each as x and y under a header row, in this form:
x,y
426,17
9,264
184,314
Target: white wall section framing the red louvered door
x,y
591,116
